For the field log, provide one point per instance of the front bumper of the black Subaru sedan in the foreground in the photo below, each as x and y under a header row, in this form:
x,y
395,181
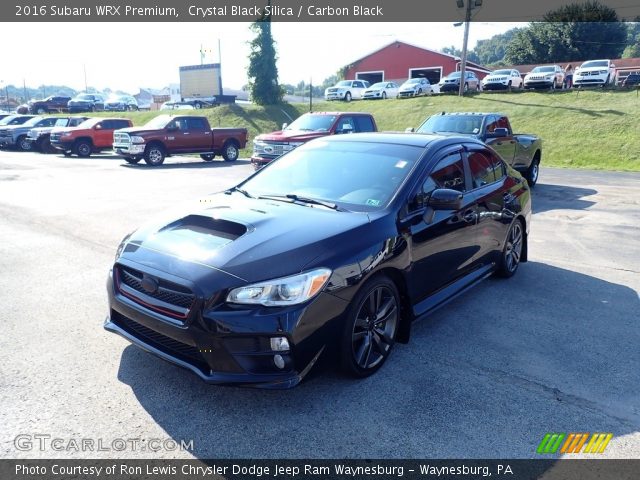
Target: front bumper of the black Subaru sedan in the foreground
x,y
230,344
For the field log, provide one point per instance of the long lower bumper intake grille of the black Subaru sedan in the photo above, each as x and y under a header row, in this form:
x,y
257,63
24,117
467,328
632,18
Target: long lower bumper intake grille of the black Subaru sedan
x,y
157,340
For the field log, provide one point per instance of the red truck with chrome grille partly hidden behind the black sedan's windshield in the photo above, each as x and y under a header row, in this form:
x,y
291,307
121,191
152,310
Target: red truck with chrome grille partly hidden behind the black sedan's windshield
x,y
269,146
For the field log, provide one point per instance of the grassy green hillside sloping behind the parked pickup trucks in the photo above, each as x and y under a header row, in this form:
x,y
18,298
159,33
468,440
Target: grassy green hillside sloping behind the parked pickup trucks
x,y
581,129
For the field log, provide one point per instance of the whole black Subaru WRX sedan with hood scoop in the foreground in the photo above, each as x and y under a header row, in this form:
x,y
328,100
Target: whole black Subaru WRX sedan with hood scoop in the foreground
x,y
335,247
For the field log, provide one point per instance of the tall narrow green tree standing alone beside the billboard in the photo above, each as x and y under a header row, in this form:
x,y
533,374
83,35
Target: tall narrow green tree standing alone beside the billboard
x,y
263,71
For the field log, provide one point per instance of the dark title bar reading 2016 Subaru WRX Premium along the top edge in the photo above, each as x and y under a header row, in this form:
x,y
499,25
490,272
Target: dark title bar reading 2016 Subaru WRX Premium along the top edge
x,y
290,10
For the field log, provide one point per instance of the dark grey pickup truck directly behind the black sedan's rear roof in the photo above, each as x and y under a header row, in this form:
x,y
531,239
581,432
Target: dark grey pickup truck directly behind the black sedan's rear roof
x,y
521,151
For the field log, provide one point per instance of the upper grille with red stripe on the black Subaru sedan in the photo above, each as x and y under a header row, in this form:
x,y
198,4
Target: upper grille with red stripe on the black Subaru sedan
x,y
170,298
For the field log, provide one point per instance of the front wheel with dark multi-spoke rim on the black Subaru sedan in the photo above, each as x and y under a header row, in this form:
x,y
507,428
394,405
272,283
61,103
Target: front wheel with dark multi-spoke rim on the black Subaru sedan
x,y
370,328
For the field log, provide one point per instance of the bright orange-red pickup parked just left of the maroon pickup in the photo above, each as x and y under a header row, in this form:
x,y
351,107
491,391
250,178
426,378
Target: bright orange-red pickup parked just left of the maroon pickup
x,y
91,136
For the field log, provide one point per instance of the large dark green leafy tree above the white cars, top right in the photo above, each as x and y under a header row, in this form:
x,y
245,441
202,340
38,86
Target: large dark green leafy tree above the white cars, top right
x,y
578,31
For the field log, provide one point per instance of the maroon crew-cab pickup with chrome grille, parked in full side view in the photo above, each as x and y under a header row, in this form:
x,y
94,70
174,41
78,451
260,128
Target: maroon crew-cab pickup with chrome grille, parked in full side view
x,y
166,135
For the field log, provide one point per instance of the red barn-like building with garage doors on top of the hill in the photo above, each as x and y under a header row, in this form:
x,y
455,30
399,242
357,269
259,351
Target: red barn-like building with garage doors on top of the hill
x,y
399,61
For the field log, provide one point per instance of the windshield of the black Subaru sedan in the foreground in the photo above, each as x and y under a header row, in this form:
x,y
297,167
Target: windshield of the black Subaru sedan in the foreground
x,y
358,176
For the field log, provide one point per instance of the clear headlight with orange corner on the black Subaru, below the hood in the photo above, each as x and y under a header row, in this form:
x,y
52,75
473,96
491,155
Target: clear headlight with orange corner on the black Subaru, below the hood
x,y
282,291
